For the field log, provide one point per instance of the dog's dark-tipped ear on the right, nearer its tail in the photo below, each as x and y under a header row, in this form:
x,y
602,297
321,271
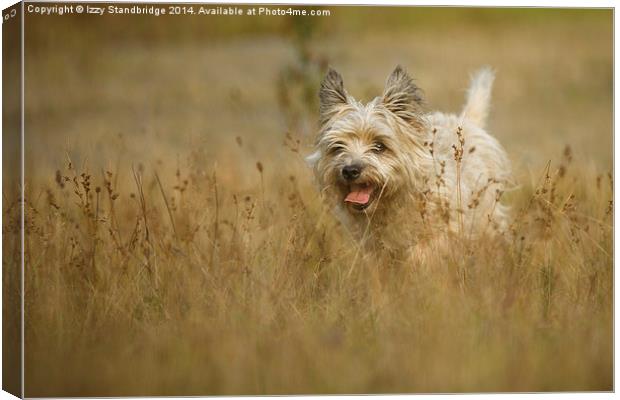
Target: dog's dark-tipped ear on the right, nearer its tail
x,y
402,97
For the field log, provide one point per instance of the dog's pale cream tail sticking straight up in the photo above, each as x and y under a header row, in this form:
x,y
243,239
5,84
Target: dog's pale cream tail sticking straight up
x,y
478,98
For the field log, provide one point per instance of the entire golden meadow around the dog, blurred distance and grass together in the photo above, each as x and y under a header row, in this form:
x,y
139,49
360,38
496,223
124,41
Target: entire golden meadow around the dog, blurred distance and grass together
x,y
176,243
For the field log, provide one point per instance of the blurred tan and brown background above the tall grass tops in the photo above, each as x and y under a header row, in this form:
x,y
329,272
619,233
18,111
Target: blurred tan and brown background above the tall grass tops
x,y
153,87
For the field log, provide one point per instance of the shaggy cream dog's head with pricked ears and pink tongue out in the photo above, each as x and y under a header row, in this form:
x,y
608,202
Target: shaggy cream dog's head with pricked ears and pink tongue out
x,y
366,153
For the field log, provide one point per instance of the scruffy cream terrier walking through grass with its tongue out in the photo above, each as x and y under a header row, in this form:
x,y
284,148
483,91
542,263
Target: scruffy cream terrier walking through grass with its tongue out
x,y
398,176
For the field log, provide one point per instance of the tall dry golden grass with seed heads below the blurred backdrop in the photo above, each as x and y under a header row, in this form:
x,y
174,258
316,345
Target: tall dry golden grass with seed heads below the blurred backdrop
x,y
176,284
